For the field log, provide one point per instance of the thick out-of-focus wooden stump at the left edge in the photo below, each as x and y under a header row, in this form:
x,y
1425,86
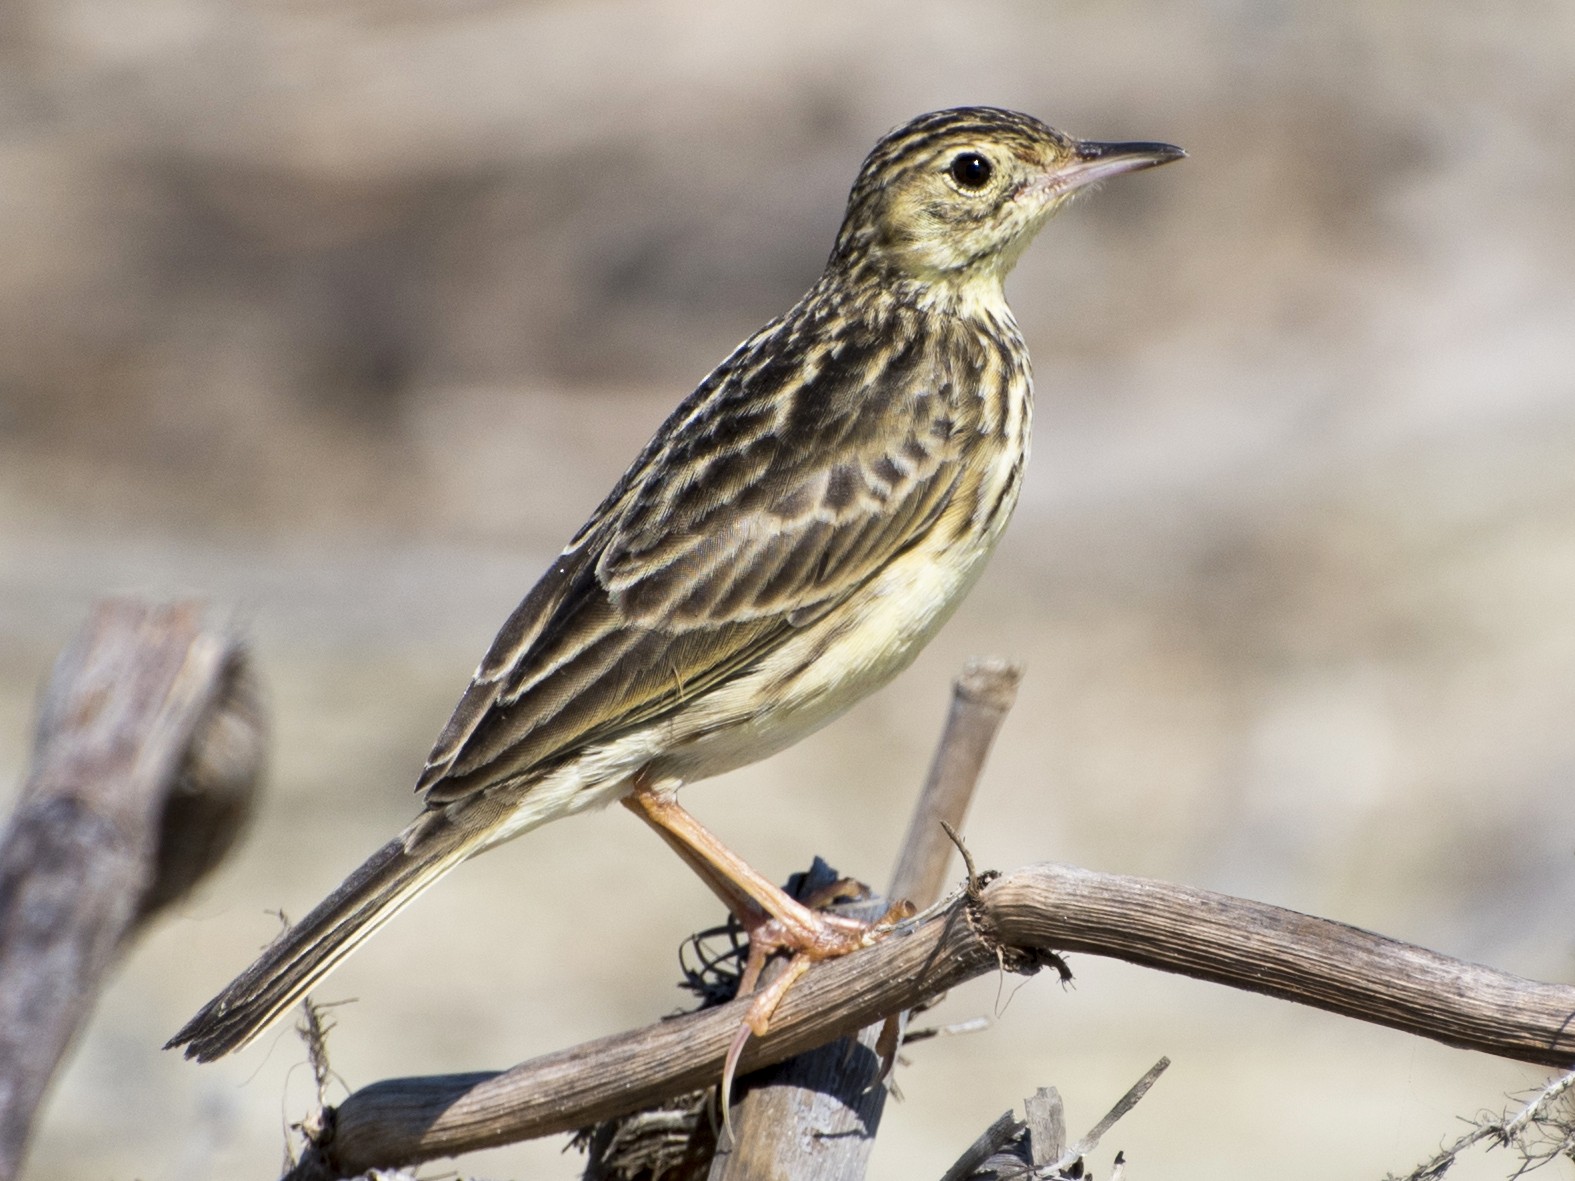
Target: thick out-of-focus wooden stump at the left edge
x,y
147,750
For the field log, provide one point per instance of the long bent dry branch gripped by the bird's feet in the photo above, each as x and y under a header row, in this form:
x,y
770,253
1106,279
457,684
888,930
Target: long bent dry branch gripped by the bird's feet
x,y
1020,919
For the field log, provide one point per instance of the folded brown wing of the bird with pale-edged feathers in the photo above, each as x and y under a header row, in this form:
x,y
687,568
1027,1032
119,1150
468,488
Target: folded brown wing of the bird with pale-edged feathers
x,y
771,495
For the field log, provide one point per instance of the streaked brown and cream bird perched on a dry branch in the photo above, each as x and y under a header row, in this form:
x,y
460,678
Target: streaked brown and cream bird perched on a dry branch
x,y
790,539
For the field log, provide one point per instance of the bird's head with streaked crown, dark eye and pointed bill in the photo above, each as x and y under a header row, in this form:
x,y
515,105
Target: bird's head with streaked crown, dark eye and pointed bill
x,y
949,201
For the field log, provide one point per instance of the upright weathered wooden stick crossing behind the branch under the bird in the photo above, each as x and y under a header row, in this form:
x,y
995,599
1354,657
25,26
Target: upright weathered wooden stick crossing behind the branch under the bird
x,y
817,1117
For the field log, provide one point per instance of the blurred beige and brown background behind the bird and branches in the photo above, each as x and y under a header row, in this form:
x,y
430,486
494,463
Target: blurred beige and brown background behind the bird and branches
x,y
346,316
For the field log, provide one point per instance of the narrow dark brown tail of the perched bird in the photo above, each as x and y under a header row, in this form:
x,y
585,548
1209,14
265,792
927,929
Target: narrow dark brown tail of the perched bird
x,y
314,947
